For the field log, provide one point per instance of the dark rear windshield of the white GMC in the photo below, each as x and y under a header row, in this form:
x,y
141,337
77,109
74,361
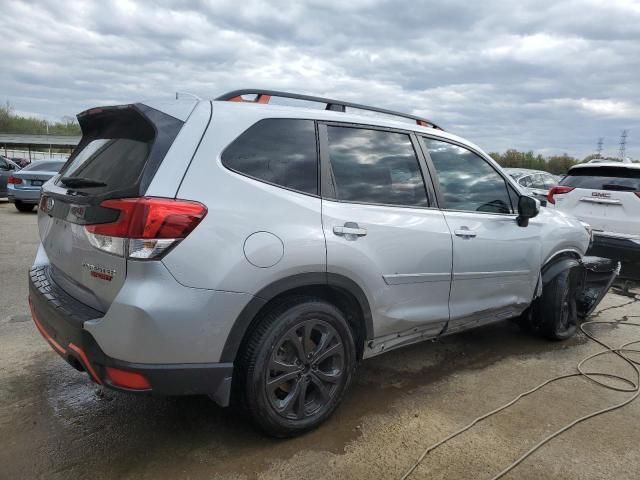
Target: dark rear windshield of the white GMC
x,y
604,178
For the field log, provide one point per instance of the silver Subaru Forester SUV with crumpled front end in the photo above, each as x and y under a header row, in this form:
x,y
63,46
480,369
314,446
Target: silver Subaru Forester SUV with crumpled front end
x,y
257,252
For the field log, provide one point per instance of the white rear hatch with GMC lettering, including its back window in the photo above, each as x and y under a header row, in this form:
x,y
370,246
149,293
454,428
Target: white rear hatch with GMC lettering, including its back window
x,y
605,196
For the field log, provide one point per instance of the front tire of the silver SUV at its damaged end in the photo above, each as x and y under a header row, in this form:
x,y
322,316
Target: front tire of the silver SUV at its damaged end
x,y
556,312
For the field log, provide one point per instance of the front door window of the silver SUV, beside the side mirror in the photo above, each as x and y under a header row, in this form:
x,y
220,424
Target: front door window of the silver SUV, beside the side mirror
x,y
466,180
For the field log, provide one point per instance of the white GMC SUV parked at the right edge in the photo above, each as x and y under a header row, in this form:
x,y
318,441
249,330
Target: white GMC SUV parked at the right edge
x,y
607,196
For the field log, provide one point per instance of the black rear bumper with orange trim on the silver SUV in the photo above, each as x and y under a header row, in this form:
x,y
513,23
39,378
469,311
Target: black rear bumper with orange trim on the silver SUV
x,y
60,319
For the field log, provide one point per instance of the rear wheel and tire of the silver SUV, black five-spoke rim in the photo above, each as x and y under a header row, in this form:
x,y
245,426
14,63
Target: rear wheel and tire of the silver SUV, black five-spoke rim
x,y
296,366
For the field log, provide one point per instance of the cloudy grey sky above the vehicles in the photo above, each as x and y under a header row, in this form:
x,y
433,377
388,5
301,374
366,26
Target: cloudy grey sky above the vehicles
x,y
551,76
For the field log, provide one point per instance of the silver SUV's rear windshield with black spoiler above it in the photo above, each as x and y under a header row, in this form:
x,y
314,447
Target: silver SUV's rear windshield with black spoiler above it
x,y
118,145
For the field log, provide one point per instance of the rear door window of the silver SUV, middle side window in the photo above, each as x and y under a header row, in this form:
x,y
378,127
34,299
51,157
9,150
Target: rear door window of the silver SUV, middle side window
x,y
373,166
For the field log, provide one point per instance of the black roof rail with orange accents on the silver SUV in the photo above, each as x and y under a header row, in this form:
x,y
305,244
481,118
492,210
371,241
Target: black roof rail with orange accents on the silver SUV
x,y
264,96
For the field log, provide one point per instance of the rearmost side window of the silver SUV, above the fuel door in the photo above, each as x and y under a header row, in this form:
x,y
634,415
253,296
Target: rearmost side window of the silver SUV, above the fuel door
x,y
279,151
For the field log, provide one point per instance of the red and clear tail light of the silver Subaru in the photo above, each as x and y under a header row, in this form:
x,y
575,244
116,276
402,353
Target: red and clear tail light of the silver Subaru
x,y
146,227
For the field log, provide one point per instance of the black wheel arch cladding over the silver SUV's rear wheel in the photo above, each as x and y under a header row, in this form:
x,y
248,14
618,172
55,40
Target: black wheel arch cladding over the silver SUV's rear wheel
x,y
346,294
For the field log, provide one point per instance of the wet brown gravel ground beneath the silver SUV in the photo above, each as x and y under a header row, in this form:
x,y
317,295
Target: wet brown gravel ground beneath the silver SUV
x,y
54,423
